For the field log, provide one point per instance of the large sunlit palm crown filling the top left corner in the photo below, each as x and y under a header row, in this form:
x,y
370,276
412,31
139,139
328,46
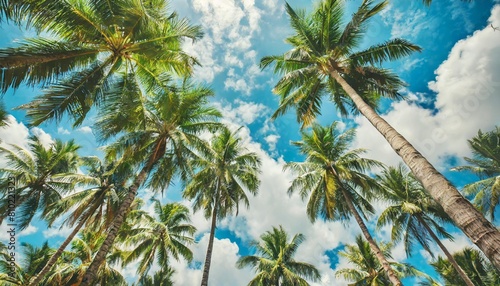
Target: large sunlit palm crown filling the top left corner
x,y
92,44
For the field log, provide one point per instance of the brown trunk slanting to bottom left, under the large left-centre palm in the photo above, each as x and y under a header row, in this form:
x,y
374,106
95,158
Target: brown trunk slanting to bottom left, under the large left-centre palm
x,y
91,272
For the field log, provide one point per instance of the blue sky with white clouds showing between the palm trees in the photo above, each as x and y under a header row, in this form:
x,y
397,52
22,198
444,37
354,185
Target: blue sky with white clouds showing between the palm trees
x,y
453,88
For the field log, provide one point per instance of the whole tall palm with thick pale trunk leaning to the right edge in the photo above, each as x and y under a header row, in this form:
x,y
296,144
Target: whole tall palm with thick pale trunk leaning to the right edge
x,y
324,60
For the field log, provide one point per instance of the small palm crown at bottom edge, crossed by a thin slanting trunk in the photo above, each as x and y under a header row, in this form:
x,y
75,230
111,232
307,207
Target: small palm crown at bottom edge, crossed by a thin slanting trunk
x,y
367,269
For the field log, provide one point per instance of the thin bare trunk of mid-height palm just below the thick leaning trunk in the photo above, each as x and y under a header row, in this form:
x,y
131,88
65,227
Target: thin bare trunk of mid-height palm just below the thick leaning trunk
x,y
373,245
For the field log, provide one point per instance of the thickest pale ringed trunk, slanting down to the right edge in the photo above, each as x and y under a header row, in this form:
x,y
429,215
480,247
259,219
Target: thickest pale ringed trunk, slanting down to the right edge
x,y
461,211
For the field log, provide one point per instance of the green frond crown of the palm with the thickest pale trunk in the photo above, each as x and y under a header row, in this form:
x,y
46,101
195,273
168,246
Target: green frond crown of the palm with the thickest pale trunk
x,y
321,45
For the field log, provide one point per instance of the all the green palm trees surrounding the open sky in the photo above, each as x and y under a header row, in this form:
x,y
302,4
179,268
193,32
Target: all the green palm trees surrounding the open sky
x,y
125,58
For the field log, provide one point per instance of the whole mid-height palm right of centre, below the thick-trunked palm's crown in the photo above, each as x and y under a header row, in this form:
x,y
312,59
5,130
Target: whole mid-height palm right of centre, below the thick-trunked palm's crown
x,y
332,176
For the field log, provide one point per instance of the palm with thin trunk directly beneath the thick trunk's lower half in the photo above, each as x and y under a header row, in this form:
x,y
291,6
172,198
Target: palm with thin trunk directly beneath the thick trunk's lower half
x,y
414,215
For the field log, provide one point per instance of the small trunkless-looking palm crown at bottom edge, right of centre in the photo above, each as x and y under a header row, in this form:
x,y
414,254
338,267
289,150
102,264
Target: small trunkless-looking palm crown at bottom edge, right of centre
x,y
274,261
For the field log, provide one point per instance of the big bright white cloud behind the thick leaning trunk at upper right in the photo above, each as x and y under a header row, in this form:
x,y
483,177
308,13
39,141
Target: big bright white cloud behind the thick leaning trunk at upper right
x,y
466,85
